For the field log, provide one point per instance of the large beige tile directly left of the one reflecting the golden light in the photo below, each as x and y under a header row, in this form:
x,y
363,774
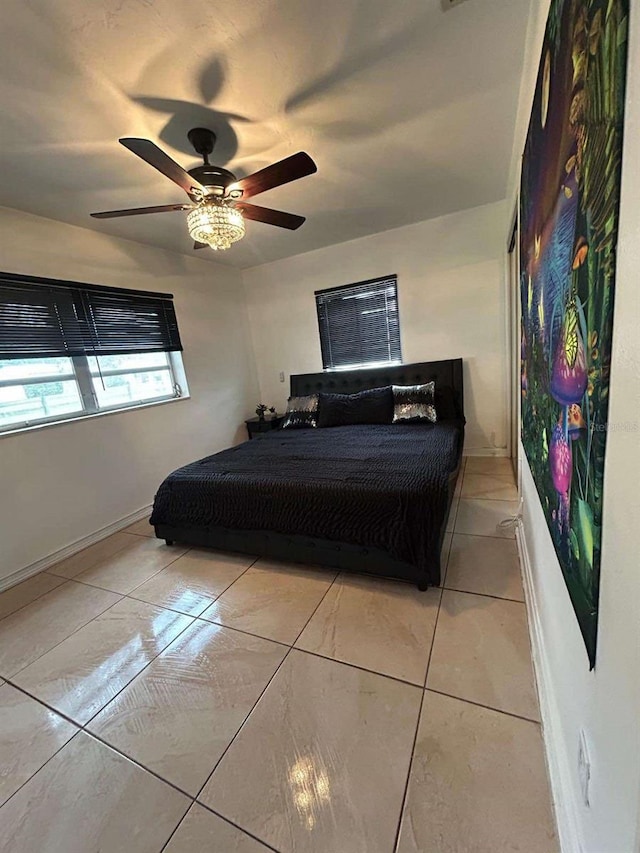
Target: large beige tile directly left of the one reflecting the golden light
x,y
180,714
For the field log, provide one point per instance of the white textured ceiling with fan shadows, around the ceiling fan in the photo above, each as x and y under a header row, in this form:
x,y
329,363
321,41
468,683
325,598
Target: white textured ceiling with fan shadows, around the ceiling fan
x,y
407,109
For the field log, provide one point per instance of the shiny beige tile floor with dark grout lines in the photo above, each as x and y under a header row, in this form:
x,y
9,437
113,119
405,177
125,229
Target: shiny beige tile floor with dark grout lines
x,y
165,699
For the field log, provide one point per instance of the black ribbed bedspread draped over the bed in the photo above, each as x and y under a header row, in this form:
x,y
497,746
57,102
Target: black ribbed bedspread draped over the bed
x,y
383,487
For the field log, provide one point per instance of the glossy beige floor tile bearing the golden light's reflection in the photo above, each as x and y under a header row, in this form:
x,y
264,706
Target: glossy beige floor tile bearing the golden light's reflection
x,y
328,749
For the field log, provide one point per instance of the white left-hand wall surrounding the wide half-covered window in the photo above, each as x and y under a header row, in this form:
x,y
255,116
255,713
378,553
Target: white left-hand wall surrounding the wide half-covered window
x,y
64,482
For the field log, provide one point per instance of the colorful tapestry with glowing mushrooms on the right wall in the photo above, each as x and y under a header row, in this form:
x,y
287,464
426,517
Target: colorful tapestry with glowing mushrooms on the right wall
x,y
569,199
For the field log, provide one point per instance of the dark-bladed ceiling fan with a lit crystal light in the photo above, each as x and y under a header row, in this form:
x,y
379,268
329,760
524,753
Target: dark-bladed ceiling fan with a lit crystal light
x,y
217,208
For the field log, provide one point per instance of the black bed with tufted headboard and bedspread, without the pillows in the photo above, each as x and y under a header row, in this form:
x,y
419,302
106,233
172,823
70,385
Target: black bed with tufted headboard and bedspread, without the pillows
x,y
365,498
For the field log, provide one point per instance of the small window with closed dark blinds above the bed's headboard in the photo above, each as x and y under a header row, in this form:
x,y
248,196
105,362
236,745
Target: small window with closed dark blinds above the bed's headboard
x,y
359,324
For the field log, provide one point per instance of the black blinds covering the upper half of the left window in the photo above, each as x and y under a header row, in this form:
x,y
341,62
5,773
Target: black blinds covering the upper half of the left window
x,y
42,317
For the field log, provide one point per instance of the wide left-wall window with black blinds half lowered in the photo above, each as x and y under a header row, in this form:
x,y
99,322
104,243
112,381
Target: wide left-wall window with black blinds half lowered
x,y
69,349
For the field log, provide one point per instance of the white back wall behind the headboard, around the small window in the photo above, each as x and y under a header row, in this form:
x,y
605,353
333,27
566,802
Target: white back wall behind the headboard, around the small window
x,y
451,299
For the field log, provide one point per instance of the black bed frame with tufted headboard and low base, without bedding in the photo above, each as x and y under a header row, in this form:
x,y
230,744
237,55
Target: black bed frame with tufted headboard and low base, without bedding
x,y
325,552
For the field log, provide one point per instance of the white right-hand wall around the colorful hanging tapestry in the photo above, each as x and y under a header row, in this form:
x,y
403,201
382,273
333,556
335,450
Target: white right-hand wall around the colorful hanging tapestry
x,y
605,702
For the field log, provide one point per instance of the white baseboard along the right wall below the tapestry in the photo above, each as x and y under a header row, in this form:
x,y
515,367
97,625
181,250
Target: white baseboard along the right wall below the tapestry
x,y
555,751
